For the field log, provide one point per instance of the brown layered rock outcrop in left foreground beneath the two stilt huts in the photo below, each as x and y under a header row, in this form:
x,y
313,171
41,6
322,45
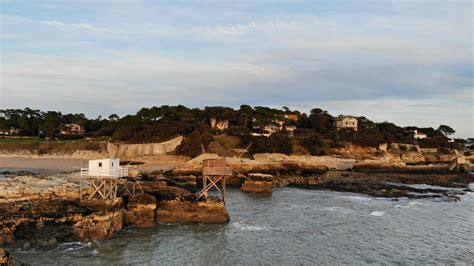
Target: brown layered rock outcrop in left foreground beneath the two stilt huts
x,y
45,211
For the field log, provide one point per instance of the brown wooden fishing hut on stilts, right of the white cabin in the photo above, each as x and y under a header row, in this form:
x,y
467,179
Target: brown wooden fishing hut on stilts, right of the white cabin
x,y
214,171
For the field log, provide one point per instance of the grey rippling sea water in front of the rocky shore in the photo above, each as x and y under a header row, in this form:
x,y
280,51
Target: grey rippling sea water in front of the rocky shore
x,y
293,226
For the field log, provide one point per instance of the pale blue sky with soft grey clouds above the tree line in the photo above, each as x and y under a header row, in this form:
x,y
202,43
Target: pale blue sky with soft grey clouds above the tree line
x,y
407,62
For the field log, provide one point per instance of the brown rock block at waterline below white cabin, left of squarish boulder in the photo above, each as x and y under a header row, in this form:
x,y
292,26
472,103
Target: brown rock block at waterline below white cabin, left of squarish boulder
x,y
97,227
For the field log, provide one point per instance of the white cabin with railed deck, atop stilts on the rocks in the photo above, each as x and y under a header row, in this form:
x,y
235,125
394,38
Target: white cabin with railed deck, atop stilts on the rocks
x,y
104,168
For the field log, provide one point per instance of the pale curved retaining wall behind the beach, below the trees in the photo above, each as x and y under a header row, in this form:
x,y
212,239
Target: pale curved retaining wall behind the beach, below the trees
x,y
132,150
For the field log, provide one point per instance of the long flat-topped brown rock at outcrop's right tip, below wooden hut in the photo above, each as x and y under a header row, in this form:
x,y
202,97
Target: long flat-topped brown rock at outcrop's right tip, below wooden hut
x,y
210,211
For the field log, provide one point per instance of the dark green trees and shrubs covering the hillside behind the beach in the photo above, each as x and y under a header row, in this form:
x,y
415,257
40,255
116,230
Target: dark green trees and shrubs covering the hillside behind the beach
x,y
315,132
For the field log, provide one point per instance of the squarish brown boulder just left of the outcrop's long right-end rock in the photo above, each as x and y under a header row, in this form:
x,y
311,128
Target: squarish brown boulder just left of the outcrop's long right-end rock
x,y
141,211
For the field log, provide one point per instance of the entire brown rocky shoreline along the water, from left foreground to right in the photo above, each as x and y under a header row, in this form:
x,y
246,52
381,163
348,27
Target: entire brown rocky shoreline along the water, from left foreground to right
x,y
42,211
